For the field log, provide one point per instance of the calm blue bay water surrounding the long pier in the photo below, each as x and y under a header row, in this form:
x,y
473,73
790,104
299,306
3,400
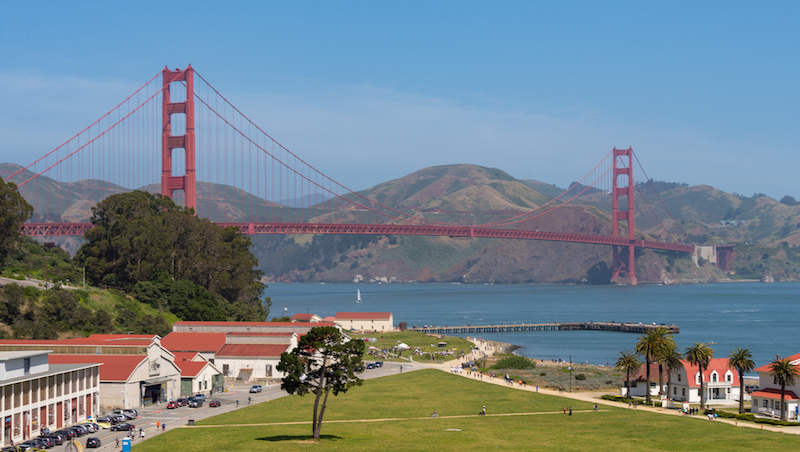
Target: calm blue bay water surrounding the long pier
x,y
761,317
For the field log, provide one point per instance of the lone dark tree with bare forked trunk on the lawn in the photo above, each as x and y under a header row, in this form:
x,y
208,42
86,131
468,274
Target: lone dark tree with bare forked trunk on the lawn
x,y
325,359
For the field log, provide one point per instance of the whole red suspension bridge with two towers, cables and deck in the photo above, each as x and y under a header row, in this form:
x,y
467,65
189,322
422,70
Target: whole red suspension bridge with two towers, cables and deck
x,y
217,161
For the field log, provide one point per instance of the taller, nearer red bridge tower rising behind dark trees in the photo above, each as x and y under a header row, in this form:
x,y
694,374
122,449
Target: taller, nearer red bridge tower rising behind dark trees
x,y
187,182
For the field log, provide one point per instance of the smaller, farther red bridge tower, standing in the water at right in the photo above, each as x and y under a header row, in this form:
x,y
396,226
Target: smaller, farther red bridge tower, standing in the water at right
x,y
623,265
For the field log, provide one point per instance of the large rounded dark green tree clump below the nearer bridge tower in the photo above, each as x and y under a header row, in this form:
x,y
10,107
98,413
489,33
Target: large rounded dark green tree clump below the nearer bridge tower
x,y
147,244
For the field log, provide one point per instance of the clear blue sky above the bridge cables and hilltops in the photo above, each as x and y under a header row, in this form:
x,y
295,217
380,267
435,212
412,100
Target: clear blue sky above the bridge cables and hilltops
x,y
705,92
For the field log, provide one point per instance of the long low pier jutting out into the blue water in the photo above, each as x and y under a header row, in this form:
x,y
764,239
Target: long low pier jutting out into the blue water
x,y
639,328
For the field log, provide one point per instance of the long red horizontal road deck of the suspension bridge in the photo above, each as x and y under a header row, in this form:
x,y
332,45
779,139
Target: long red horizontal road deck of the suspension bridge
x,y
56,229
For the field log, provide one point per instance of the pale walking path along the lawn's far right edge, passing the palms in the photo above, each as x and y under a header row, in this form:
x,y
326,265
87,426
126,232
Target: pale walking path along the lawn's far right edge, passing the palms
x,y
488,348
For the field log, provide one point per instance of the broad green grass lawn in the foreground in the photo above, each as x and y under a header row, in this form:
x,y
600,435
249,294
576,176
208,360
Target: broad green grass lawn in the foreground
x,y
393,413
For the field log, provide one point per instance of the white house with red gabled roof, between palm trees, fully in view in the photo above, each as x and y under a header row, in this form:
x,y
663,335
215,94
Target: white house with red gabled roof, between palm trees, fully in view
x,y
719,382
